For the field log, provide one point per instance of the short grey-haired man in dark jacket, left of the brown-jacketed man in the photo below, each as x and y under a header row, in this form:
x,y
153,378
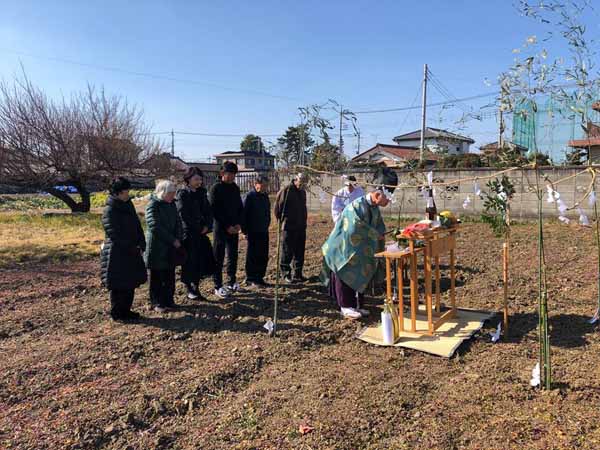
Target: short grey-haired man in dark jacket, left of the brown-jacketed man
x,y
257,218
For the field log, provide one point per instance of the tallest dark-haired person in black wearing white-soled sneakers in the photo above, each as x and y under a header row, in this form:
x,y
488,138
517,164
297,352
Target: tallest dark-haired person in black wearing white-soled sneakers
x,y
228,212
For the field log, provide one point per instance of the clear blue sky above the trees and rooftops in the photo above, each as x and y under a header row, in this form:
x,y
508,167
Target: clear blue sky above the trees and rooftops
x,y
249,65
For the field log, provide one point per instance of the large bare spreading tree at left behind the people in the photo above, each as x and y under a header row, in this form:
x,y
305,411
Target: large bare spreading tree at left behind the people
x,y
79,141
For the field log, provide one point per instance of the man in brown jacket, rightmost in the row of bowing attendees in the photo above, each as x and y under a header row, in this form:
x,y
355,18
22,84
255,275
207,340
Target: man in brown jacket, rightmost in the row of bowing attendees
x,y
290,211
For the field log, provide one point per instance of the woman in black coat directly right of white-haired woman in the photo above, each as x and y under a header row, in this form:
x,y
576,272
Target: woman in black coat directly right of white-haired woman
x,y
196,218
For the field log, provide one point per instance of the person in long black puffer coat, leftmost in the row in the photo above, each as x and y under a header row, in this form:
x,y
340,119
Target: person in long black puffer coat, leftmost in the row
x,y
122,265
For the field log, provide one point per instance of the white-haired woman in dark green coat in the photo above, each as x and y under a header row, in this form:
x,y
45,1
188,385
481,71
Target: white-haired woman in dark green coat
x,y
163,236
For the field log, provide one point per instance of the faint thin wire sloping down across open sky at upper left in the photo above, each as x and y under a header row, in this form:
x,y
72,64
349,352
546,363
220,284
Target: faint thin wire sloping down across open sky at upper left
x,y
150,75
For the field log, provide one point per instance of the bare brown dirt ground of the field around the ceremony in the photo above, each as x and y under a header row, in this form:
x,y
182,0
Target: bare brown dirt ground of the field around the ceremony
x,y
208,377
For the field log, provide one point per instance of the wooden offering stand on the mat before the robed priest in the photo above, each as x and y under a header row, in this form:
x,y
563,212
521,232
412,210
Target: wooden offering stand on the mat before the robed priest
x,y
439,242
